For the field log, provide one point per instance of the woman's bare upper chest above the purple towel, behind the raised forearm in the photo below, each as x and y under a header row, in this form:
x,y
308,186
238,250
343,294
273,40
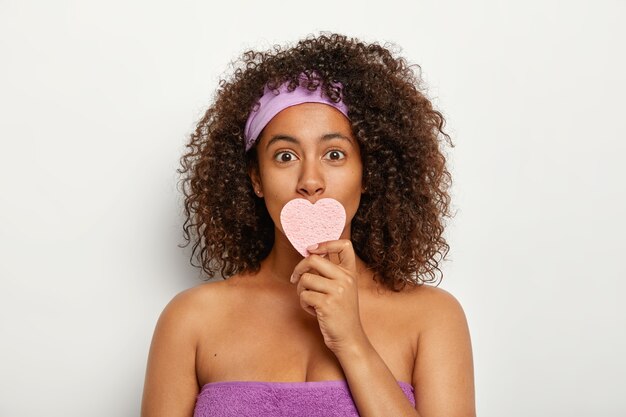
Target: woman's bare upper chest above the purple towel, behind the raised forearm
x,y
267,336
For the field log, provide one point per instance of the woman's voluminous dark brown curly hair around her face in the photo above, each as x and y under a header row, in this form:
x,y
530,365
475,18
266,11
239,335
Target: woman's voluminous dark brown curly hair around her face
x,y
398,227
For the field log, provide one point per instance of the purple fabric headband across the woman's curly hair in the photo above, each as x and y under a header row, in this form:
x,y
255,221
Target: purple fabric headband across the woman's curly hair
x,y
271,104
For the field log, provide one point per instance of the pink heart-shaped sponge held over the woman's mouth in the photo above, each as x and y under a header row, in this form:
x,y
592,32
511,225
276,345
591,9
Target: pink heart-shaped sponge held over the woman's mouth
x,y
306,224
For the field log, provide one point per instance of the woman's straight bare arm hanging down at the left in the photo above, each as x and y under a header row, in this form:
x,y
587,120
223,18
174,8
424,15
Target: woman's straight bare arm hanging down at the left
x,y
171,386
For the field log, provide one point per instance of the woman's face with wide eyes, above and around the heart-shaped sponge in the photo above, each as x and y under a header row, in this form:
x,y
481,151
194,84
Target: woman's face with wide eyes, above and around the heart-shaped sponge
x,y
308,151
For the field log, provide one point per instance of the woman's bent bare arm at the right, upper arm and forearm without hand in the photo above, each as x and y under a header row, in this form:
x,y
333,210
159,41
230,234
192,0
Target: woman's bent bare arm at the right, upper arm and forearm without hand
x,y
443,374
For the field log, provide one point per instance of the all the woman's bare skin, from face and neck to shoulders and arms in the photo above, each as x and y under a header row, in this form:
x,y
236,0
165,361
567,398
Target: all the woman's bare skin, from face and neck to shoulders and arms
x,y
332,321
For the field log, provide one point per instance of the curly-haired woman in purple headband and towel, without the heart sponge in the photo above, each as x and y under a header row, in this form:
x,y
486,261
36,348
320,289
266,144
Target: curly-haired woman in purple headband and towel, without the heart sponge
x,y
349,329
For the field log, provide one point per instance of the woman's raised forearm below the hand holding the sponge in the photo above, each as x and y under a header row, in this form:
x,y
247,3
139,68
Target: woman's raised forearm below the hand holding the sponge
x,y
374,389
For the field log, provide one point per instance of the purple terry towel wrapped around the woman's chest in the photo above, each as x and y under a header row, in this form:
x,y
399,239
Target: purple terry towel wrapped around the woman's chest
x,y
276,399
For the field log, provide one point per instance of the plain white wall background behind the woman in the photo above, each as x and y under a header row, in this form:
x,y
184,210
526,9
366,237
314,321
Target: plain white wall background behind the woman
x,y
98,98
